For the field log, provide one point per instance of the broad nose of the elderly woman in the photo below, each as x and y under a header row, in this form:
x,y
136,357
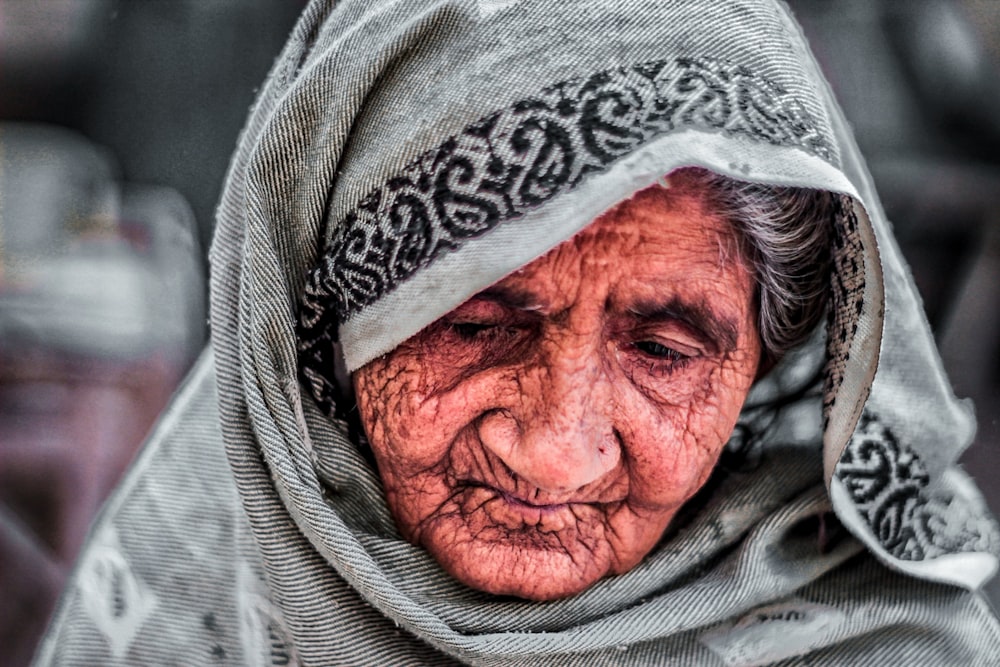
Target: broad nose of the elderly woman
x,y
559,436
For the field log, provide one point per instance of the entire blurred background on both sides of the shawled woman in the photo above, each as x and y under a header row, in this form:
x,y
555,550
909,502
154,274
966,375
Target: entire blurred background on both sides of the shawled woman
x,y
117,120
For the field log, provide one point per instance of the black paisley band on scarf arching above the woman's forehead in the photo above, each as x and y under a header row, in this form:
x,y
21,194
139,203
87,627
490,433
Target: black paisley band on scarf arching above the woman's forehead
x,y
514,160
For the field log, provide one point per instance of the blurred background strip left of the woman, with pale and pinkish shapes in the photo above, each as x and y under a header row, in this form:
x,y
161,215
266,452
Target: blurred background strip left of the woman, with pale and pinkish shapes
x,y
117,120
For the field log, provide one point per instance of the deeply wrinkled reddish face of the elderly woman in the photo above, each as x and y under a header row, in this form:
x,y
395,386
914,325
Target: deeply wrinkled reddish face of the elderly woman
x,y
544,434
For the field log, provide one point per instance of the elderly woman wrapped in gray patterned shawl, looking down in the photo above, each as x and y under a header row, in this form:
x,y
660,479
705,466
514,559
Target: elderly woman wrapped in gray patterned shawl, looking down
x,y
548,333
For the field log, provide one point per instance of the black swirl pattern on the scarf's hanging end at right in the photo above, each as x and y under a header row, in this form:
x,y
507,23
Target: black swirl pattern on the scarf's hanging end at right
x,y
889,485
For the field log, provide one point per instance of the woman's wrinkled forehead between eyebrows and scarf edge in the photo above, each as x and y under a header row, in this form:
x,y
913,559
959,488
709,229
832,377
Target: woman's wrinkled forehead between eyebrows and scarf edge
x,y
655,247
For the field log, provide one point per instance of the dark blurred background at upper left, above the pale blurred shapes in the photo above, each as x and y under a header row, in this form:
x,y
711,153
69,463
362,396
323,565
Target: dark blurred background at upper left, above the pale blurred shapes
x,y
164,84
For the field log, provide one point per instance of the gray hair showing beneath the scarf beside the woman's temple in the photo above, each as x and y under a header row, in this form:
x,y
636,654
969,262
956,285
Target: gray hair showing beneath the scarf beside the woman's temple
x,y
786,235
